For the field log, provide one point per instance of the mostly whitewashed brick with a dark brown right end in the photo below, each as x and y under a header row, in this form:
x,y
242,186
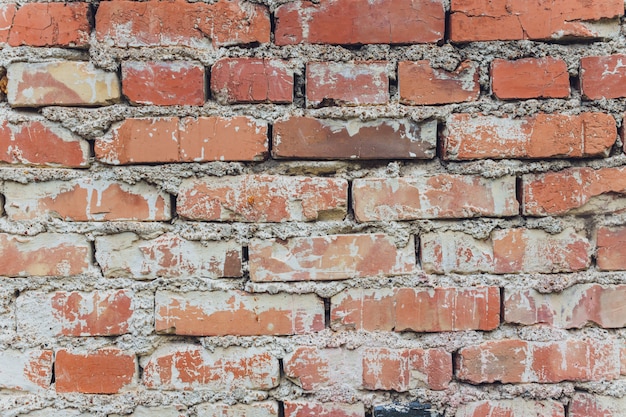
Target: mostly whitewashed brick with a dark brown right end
x,y
127,255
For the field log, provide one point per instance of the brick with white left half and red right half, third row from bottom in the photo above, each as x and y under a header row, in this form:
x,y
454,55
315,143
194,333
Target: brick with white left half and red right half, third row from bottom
x,y
63,313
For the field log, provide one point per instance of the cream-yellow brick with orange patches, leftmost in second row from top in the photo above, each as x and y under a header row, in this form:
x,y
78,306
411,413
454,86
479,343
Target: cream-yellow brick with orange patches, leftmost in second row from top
x,y
66,83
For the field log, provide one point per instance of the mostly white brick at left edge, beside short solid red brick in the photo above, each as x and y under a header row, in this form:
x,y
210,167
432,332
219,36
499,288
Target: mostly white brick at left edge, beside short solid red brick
x,y
29,370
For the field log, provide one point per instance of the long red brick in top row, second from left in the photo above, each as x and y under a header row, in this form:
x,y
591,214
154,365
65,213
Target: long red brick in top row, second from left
x,y
173,23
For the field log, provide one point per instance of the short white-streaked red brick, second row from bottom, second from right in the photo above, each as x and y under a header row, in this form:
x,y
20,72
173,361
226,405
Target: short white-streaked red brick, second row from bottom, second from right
x,y
405,369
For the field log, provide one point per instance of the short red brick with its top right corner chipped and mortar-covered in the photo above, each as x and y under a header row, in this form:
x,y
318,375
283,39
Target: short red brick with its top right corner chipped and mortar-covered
x,y
420,84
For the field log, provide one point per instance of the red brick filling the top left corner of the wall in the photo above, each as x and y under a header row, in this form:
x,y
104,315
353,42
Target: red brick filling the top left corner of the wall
x,y
49,24
